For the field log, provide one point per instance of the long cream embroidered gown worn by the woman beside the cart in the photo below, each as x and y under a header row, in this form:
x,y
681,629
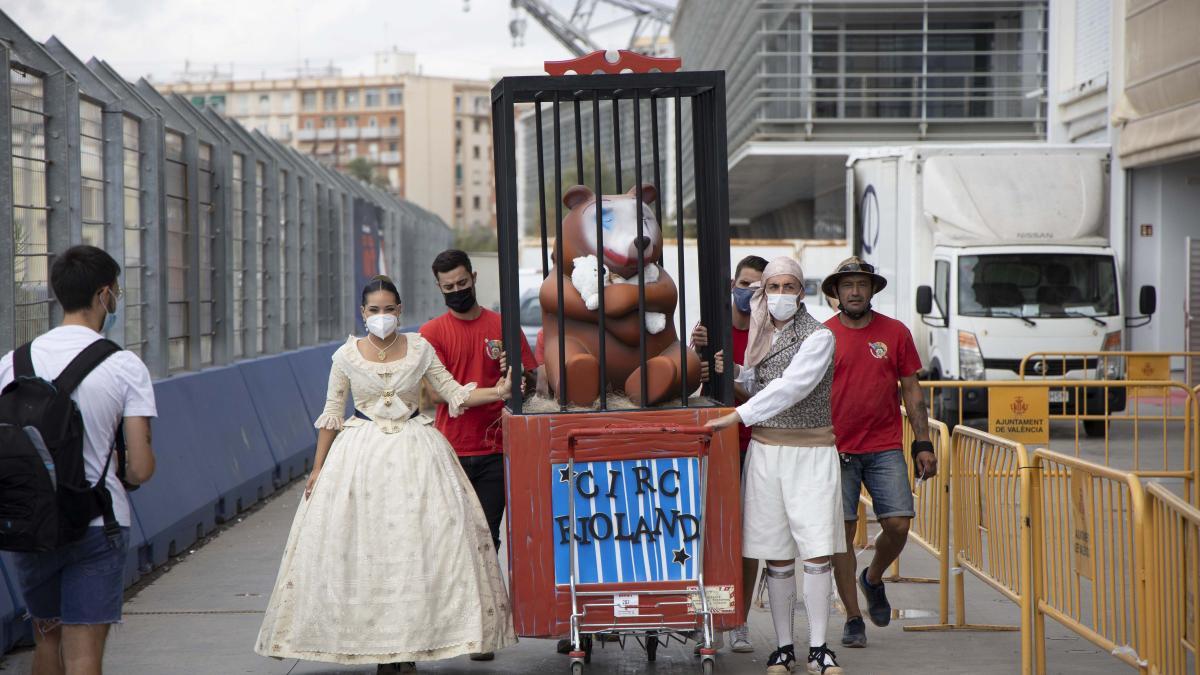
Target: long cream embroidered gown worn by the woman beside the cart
x,y
391,559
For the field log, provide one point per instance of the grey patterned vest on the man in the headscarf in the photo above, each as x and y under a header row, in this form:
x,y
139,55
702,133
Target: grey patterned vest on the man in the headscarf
x,y
814,413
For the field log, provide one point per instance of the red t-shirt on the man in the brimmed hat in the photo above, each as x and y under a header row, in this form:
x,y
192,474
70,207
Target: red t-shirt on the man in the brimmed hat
x,y
868,362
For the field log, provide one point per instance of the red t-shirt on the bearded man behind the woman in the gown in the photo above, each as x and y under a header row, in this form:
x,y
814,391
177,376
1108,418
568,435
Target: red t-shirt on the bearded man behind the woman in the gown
x,y
471,353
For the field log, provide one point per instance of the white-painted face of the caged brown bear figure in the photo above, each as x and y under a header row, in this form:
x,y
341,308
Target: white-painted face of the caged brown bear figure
x,y
619,216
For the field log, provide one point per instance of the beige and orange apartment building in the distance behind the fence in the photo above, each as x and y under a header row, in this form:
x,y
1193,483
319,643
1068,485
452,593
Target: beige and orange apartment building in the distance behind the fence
x,y
429,139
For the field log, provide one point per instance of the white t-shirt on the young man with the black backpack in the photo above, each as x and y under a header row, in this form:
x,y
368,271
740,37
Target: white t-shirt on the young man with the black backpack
x,y
119,387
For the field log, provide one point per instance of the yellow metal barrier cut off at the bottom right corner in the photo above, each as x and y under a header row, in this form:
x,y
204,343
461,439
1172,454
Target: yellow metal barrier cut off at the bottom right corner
x,y
1173,555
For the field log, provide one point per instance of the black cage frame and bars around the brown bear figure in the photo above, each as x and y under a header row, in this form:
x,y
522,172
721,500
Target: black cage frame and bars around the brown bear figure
x,y
620,95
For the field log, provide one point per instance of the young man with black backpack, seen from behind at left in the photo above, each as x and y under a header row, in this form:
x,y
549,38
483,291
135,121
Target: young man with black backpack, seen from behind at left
x,y
64,509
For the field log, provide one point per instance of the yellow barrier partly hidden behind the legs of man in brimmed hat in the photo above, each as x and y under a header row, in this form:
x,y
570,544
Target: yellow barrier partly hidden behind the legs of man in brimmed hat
x,y
931,528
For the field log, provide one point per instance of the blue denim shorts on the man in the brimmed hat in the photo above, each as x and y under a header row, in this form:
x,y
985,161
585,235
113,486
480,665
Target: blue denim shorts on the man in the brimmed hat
x,y
886,477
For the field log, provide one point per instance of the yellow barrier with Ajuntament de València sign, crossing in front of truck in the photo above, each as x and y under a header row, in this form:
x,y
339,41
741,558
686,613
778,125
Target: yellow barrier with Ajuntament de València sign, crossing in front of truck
x,y
1178,434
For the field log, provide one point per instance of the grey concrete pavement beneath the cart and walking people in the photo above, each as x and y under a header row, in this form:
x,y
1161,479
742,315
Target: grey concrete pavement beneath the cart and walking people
x,y
202,617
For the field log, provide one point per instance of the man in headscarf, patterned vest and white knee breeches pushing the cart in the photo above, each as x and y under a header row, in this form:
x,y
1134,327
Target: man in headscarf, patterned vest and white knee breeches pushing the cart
x,y
793,477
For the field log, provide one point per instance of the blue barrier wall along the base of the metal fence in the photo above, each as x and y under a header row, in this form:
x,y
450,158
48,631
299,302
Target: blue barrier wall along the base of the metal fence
x,y
225,439
